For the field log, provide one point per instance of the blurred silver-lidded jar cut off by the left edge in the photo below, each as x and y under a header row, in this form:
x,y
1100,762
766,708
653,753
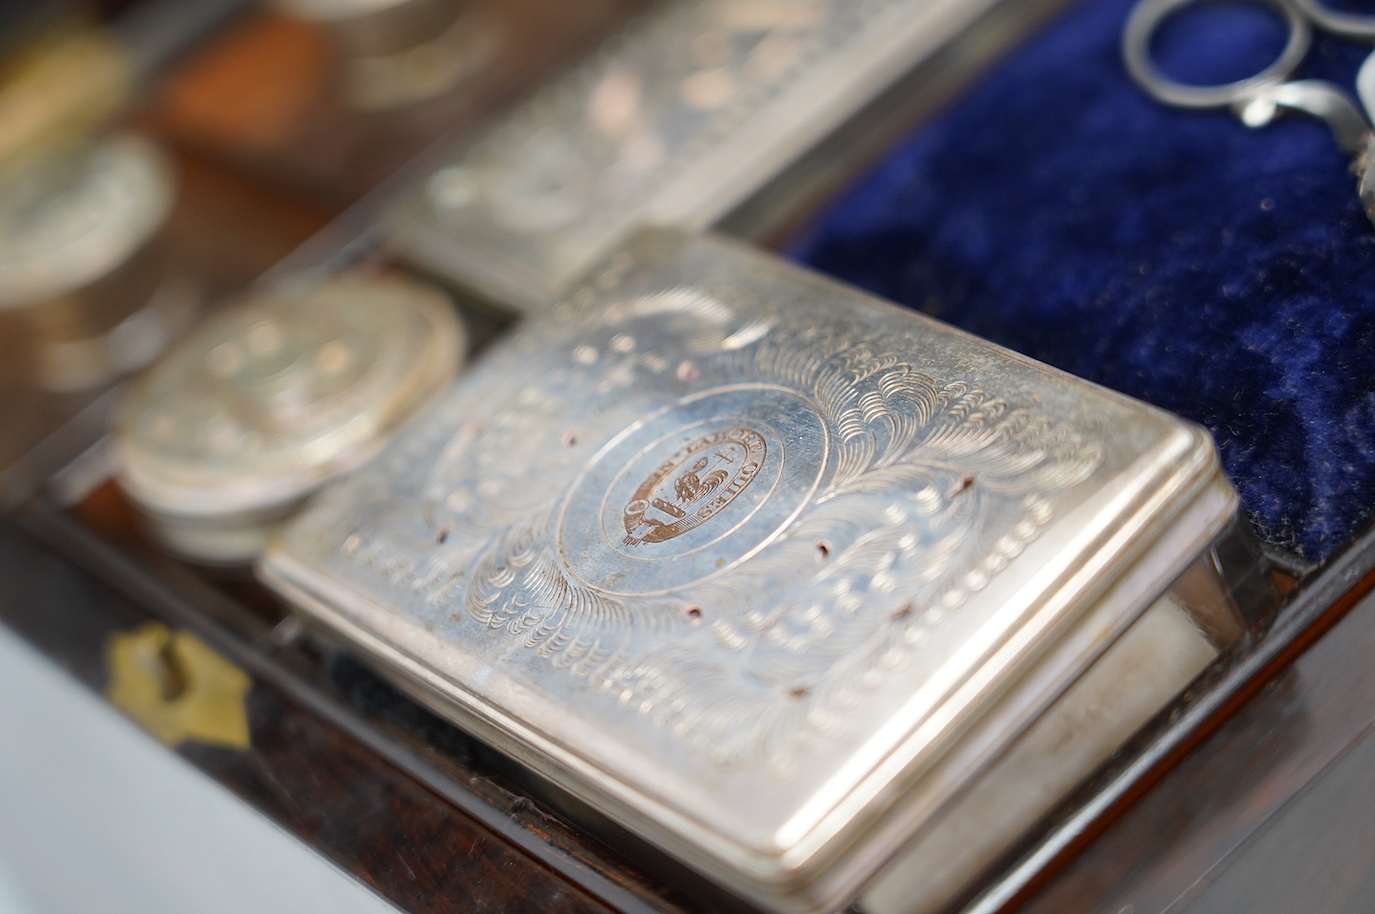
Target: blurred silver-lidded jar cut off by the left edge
x,y
85,281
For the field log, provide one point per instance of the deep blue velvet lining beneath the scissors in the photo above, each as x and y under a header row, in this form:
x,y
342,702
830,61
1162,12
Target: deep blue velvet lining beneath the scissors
x,y
1223,273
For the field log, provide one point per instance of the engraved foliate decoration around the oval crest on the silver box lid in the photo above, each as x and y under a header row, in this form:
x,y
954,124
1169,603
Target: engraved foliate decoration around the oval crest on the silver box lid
x,y
746,555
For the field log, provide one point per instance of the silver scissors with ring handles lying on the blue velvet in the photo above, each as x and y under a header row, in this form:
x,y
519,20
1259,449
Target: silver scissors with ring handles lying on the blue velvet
x,y
1259,100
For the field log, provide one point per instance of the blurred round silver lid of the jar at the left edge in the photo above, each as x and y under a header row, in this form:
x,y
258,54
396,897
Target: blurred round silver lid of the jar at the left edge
x,y
71,221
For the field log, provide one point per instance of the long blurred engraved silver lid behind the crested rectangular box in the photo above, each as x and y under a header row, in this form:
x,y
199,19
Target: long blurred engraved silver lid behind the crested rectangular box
x,y
696,107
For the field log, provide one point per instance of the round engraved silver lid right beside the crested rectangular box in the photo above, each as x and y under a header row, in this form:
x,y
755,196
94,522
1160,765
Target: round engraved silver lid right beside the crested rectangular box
x,y
276,395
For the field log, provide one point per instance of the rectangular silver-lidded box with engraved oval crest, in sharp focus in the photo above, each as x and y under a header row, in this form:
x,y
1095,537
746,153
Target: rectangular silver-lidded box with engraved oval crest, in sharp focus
x,y
816,594
